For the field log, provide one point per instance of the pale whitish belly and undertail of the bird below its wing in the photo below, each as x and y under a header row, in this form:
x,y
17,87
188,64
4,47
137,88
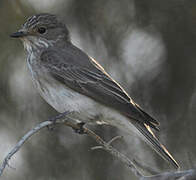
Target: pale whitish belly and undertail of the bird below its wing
x,y
63,98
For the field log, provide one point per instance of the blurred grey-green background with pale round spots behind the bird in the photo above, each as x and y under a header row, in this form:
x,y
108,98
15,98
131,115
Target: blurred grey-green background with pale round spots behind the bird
x,y
149,47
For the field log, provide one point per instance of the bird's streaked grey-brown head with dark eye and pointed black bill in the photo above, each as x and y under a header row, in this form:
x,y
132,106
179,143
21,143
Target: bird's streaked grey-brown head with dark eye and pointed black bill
x,y
42,31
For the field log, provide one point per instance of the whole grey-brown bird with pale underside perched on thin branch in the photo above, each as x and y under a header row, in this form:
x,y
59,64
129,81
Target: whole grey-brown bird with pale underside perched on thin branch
x,y
70,80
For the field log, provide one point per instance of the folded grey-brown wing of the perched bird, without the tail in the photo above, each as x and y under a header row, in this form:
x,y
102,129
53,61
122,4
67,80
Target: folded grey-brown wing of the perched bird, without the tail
x,y
95,83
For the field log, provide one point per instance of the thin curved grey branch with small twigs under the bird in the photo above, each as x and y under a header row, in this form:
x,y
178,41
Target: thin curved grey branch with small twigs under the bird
x,y
187,175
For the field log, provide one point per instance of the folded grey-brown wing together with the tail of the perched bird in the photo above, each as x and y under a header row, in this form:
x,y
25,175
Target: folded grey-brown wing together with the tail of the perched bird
x,y
87,77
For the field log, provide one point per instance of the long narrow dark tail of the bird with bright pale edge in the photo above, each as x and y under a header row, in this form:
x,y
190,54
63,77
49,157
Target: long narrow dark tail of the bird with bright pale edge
x,y
154,142
